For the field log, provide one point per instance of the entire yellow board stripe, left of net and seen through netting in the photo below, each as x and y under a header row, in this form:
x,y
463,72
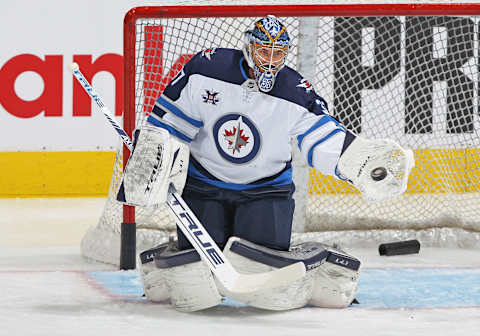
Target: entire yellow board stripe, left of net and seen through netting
x,y
88,174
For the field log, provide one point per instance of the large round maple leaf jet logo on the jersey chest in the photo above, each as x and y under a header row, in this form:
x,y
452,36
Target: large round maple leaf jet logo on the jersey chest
x,y
236,138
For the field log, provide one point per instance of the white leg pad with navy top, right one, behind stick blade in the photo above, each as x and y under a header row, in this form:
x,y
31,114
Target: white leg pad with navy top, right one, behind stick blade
x,y
328,283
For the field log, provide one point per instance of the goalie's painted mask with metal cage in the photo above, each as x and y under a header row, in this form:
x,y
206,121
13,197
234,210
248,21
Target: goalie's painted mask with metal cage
x,y
266,47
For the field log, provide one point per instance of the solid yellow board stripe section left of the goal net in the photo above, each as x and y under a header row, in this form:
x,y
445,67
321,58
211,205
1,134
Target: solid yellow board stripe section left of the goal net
x,y
55,174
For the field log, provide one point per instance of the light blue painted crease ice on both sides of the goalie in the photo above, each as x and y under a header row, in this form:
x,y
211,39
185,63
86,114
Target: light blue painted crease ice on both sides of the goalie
x,y
377,289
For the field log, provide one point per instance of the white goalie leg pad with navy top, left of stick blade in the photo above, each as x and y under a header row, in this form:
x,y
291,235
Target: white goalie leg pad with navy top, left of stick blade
x,y
180,276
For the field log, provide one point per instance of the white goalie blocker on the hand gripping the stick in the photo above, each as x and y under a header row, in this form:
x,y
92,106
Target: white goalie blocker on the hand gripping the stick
x,y
158,160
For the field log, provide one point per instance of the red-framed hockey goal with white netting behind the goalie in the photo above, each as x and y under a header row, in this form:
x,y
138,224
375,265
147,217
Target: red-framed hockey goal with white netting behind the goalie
x,y
408,72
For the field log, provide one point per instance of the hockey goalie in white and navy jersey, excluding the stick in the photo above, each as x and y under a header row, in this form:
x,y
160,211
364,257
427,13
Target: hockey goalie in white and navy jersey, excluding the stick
x,y
220,134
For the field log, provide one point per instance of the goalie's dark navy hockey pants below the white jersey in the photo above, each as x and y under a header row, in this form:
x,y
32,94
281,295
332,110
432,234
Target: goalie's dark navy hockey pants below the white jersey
x,y
262,215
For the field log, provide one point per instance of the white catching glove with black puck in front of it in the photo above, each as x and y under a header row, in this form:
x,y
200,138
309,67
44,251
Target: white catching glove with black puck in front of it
x,y
379,169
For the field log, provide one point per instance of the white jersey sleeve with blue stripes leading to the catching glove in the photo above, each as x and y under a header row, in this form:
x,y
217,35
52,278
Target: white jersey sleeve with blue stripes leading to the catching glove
x,y
321,138
